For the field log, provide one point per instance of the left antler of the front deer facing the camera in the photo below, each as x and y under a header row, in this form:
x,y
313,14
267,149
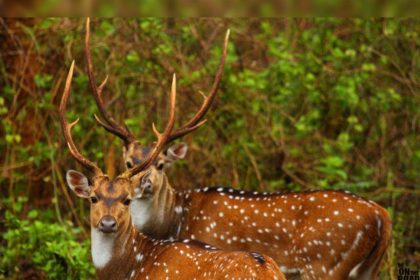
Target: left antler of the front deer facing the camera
x,y
67,128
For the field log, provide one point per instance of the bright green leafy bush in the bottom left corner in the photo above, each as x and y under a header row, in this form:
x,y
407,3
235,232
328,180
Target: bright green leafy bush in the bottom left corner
x,y
36,243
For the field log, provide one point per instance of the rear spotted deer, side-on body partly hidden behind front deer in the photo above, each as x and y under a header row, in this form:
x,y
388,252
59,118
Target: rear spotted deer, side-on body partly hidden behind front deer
x,y
319,234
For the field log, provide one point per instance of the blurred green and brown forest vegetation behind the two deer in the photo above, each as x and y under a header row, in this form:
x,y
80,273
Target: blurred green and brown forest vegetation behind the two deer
x,y
304,104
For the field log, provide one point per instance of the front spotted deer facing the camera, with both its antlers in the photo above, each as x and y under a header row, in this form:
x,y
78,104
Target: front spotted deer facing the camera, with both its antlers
x,y
120,251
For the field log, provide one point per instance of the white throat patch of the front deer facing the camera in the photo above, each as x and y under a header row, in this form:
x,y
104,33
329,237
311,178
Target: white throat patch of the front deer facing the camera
x,y
102,248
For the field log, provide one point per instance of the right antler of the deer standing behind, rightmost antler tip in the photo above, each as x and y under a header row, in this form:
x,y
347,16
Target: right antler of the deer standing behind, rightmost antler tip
x,y
195,122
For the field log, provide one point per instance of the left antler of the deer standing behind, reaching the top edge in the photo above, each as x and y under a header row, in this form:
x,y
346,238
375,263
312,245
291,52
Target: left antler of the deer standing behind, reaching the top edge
x,y
110,124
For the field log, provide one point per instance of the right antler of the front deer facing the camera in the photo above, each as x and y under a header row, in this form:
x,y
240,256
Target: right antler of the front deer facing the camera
x,y
162,138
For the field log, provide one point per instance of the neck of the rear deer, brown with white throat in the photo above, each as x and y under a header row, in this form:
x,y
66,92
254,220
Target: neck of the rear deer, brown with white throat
x,y
155,216
